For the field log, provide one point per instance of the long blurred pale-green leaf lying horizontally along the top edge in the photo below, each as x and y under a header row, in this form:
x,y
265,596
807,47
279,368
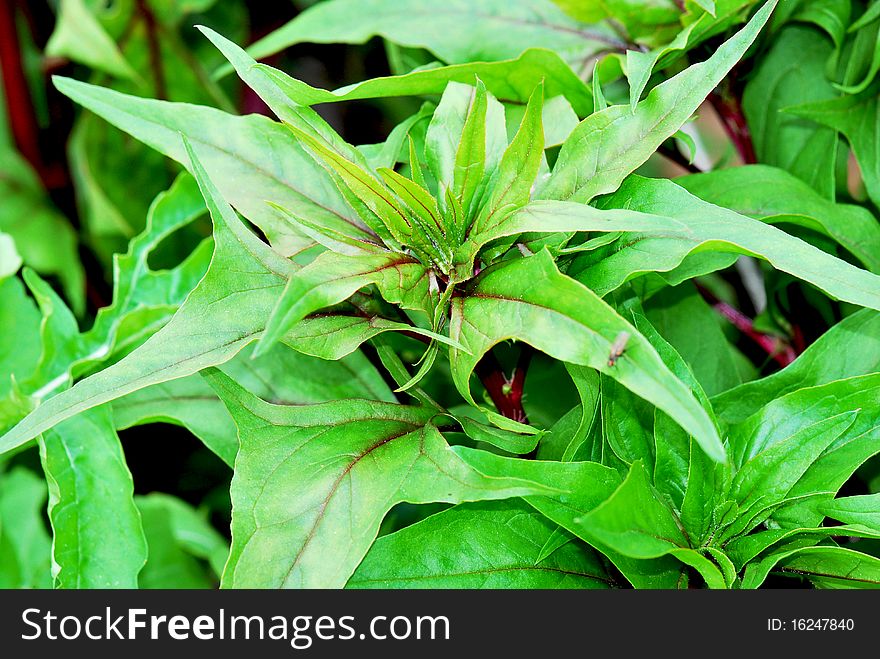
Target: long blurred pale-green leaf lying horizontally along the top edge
x,y
460,31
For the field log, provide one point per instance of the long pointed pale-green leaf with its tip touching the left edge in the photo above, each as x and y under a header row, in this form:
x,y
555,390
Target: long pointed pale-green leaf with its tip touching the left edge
x,y
234,300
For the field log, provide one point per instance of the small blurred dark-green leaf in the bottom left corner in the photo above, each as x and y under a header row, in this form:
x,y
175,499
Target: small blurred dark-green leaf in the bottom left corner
x,y
25,547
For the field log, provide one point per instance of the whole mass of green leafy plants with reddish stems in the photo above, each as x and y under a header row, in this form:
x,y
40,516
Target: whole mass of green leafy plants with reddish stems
x,y
493,350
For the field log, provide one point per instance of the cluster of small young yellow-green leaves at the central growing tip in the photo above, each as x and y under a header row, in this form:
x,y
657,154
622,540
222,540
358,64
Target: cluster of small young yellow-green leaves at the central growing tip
x,y
422,229
